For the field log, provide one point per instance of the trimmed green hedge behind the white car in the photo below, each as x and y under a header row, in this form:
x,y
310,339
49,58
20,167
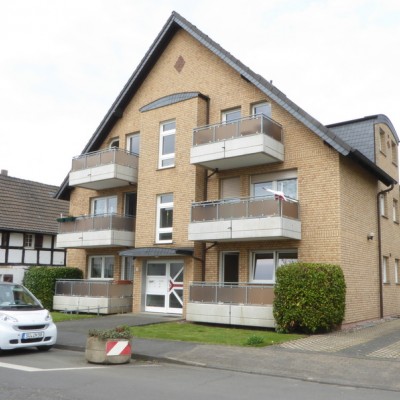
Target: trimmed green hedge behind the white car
x,y
41,281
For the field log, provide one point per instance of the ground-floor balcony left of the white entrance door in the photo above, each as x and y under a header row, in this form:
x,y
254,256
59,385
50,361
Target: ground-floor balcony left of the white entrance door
x,y
91,296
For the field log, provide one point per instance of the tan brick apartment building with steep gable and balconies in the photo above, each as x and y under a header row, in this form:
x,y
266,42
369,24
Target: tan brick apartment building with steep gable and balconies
x,y
203,178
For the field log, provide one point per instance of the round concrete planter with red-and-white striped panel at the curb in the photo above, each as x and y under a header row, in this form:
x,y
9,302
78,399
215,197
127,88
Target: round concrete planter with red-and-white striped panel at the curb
x,y
109,346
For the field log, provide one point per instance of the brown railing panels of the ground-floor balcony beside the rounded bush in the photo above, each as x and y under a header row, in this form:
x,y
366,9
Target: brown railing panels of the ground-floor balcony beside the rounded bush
x,y
231,293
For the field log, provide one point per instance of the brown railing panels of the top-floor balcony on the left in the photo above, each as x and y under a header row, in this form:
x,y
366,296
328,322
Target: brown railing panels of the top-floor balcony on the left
x,y
104,157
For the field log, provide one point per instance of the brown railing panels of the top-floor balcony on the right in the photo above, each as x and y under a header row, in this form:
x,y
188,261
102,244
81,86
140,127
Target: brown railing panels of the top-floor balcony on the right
x,y
259,124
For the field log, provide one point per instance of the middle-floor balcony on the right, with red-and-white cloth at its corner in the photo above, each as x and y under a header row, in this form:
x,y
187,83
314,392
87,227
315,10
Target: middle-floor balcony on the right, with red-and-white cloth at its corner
x,y
252,218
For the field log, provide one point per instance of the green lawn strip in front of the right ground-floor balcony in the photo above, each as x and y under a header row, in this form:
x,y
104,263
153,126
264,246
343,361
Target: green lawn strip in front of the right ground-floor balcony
x,y
201,333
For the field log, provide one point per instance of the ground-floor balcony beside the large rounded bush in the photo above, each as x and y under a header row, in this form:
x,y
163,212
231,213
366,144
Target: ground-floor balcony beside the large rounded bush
x,y
243,304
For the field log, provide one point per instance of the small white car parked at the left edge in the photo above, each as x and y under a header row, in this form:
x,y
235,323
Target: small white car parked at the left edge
x,y
23,320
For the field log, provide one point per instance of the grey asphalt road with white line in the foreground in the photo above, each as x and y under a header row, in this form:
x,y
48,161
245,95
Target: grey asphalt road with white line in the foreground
x,y
65,375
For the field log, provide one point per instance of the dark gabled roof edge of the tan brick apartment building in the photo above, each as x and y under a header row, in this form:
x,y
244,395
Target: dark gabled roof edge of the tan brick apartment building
x,y
173,24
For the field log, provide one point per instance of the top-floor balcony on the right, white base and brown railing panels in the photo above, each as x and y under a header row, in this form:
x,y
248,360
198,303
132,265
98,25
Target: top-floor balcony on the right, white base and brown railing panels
x,y
245,142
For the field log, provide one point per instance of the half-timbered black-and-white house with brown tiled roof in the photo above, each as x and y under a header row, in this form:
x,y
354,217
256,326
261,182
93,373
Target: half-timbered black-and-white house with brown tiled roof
x,y
28,226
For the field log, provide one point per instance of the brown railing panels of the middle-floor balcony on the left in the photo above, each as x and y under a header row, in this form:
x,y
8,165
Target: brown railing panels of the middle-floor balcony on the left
x,y
102,222
